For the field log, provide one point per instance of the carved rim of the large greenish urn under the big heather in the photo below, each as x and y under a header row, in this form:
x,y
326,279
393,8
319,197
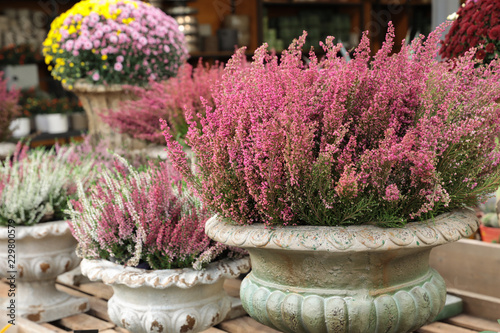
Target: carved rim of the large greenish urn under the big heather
x,y
443,229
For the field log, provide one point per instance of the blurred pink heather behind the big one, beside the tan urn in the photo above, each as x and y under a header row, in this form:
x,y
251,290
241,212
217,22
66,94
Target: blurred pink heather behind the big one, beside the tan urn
x,y
167,100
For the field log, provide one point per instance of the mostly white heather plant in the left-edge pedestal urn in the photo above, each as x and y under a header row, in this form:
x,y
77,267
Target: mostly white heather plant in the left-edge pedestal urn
x,y
35,185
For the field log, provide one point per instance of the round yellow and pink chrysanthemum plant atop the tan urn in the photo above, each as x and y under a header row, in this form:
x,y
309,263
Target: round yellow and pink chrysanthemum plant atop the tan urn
x,y
114,41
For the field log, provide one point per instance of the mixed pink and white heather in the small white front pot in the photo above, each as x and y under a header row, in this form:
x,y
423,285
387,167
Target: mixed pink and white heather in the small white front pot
x,y
142,216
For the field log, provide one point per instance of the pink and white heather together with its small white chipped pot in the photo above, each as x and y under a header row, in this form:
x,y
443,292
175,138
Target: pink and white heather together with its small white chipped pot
x,y
141,231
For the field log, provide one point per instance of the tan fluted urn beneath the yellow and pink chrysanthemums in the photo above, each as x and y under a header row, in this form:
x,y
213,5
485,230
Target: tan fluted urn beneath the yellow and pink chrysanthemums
x,y
99,99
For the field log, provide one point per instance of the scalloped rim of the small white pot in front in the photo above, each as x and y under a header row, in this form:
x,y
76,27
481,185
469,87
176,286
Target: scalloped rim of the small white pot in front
x,y
111,273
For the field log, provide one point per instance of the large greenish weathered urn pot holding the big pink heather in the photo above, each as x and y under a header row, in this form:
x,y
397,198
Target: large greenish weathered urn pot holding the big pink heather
x,y
343,279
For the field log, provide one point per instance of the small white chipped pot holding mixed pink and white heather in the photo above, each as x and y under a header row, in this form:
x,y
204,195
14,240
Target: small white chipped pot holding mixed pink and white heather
x,y
172,300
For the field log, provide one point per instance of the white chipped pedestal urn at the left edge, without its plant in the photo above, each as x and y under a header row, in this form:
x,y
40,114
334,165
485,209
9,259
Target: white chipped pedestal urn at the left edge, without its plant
x,y
41,253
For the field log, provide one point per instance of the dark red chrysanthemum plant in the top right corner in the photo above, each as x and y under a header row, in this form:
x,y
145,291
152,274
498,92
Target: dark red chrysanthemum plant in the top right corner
x,y
477,25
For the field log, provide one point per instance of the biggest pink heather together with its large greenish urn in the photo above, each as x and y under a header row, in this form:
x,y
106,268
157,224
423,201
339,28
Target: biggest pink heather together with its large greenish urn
x,y
340,177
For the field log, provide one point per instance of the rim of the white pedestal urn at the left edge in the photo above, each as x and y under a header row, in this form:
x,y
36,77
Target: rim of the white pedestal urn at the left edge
x,y
38,231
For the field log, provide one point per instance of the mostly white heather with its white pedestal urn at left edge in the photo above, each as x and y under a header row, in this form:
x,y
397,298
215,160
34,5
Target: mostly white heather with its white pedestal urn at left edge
x,y
34,189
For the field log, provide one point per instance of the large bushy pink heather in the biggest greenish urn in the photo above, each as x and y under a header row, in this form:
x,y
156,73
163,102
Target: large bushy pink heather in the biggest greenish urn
x,y
388,140
